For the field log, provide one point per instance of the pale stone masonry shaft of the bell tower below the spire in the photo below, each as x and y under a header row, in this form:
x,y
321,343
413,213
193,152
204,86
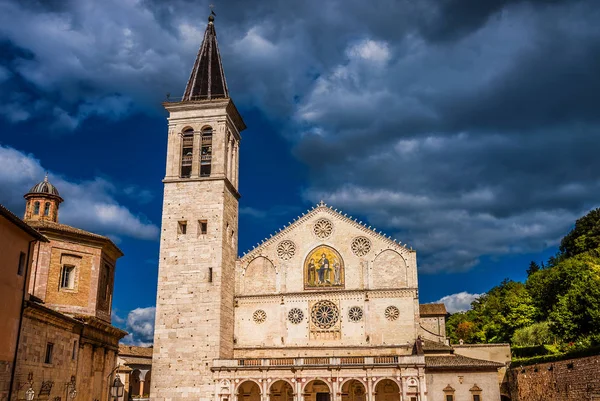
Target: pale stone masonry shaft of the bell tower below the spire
x,y
194,309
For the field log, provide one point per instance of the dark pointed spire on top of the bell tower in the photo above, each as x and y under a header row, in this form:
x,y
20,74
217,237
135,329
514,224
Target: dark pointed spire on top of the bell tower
x,y
207,80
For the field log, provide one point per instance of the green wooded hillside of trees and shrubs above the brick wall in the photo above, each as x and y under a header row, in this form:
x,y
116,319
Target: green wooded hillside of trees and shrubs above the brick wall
x,y
556,310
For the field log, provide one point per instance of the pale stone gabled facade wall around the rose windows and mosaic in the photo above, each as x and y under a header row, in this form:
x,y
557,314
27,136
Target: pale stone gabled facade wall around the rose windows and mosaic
x,y
382,276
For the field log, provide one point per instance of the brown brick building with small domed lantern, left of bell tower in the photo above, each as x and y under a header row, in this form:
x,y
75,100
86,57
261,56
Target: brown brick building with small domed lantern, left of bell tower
x,y
67,347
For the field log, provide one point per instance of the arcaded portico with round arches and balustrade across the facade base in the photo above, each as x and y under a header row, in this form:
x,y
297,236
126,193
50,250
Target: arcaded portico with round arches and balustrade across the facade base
x,y
391,378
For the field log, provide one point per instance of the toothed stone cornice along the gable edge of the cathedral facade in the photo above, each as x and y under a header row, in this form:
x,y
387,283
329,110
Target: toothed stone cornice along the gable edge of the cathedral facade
x,y
321,207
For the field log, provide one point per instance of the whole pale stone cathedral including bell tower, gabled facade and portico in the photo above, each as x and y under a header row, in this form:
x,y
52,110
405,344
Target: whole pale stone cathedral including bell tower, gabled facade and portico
x,y
326,309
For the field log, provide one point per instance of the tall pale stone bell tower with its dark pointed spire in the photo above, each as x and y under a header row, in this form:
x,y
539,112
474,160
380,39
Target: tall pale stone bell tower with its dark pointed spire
x,y
198,245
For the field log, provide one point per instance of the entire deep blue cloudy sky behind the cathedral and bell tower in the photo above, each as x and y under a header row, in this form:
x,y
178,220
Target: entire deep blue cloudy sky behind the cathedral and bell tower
x,y
467,129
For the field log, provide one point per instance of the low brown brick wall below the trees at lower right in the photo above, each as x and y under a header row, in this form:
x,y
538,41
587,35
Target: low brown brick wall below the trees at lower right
x,y
570,380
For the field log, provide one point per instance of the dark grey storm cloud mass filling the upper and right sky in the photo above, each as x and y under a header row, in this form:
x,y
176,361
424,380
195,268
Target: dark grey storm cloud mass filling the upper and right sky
x,y
467,128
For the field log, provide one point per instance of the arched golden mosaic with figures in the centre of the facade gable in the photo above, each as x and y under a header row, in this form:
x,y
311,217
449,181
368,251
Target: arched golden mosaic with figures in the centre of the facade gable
x,y
323,268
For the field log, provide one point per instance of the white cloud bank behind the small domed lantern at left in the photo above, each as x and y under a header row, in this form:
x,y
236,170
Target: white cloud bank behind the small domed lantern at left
x,y
90,205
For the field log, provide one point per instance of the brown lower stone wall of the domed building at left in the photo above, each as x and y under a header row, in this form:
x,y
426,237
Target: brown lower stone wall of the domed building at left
x,y
89,357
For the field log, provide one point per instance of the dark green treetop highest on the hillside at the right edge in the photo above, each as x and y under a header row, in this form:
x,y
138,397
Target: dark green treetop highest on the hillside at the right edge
x,y
584,237
